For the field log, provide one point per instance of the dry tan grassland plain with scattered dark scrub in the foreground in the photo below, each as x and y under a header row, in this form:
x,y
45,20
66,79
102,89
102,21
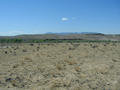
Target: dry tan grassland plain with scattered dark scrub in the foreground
x,y
60,66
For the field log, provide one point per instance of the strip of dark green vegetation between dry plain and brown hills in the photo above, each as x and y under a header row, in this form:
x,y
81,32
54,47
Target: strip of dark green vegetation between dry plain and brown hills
x,y
18,40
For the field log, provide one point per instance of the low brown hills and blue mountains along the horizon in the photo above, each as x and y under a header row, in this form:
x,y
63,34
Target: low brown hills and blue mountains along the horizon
x,y
67,35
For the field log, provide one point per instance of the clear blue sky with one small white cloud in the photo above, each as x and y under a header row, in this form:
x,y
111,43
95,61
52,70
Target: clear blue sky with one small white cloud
x,y
42,16
